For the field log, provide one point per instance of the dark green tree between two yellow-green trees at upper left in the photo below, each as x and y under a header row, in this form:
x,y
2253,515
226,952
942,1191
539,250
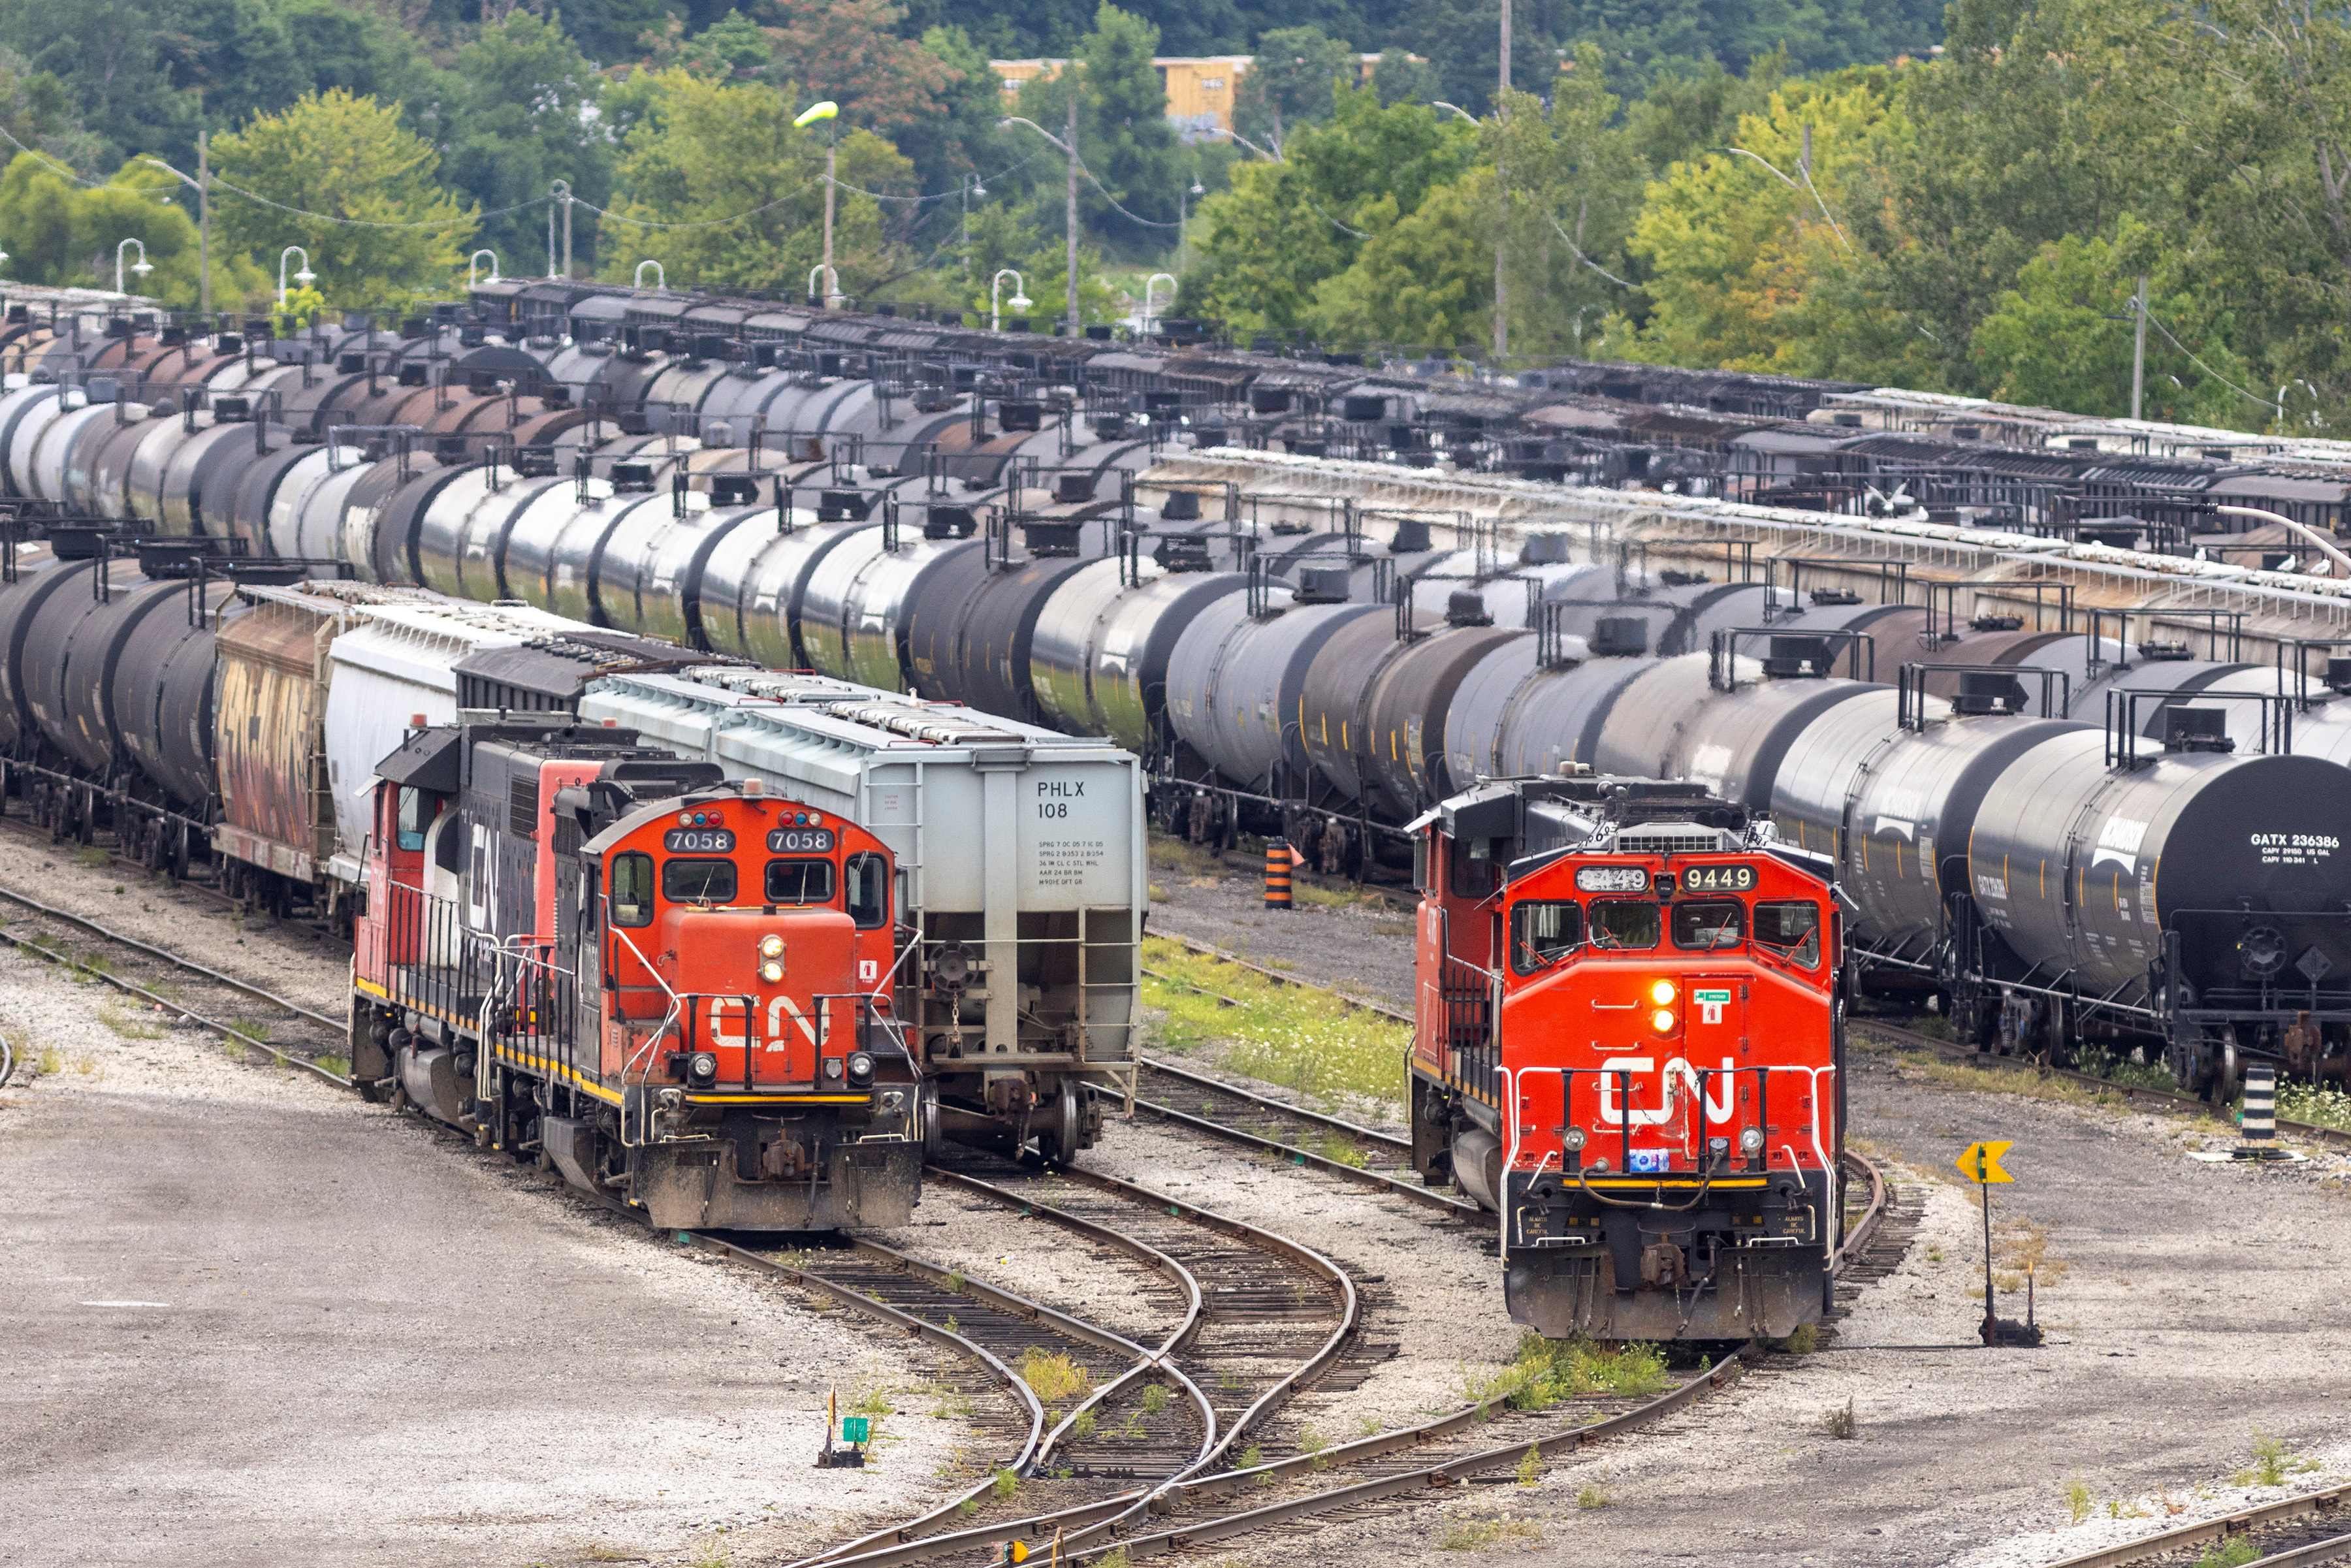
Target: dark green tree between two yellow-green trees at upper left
x,y
523,114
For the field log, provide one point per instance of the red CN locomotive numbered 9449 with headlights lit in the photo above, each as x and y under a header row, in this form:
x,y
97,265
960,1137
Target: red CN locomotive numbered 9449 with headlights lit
x,y
1630,1045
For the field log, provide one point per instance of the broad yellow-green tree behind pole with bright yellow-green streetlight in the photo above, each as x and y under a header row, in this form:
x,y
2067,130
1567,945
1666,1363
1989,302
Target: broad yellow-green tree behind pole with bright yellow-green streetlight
x,y
728,163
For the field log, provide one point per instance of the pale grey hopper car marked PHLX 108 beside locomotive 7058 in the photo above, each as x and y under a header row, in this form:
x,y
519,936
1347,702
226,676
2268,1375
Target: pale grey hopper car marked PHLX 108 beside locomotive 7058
x,y
1022,859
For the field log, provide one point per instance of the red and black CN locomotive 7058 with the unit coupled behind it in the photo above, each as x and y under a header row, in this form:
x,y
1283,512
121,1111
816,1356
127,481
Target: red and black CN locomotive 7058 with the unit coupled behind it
x,y
669,986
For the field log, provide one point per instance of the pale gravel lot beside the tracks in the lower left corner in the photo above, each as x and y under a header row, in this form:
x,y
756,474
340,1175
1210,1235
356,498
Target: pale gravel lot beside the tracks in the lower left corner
x,y
253,1320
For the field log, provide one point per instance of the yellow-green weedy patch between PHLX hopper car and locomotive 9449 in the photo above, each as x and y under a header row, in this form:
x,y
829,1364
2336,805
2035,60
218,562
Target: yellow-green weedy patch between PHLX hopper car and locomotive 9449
x,y
1292,1036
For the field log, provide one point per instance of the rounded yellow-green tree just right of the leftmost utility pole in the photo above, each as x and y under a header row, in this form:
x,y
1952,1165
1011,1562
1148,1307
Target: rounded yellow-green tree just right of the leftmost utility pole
x,y
382,229
